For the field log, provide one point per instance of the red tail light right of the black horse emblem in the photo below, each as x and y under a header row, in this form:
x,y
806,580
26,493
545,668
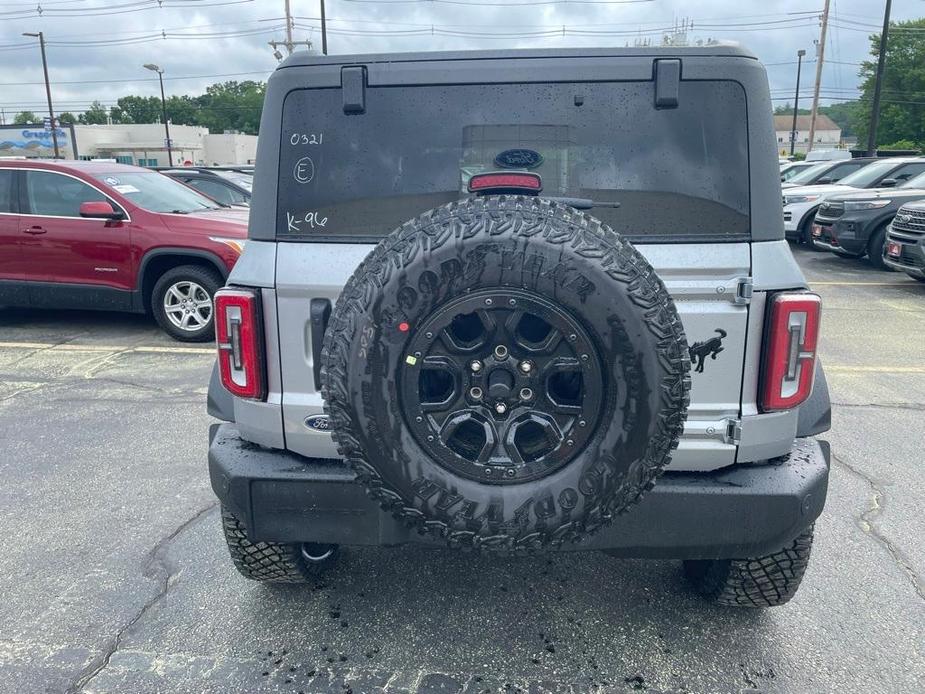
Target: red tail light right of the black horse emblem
x,y
790,350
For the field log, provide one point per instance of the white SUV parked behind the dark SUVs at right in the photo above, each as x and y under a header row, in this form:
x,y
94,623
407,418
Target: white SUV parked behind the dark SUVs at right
x,y
801,203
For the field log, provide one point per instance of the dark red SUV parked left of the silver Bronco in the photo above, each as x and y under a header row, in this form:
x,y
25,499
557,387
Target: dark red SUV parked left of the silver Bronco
x,y
114,237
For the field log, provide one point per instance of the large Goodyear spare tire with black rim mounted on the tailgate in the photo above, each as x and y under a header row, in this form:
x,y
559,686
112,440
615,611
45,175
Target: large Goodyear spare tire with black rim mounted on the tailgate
x,y
506,373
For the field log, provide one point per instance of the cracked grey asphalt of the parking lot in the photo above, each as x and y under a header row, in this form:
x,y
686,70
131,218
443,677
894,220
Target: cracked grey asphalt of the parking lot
x,y
116,578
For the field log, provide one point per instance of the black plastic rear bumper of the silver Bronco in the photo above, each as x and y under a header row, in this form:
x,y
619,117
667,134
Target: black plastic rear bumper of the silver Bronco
x,y
742,511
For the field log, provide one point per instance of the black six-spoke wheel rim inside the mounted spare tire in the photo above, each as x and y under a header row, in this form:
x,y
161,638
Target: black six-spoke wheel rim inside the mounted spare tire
x,y
501,386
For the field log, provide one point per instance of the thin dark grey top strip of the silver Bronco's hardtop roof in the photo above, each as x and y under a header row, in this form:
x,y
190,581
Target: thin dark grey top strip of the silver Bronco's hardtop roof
x,y
720,50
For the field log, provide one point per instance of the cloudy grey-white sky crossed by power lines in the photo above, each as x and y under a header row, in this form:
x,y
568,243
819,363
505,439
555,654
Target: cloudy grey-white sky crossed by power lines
x,y
96,48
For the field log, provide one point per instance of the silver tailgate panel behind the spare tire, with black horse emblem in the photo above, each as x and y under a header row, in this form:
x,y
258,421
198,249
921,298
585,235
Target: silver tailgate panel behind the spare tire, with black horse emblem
x,y
709,285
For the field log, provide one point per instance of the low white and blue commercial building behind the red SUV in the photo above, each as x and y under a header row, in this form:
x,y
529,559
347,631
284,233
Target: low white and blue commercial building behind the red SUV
x,y
142,145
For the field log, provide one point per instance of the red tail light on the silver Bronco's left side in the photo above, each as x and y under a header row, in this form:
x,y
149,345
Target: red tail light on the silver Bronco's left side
x,y
240,343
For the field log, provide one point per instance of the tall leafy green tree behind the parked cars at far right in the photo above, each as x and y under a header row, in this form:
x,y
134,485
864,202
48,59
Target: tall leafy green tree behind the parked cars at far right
x,y
902,106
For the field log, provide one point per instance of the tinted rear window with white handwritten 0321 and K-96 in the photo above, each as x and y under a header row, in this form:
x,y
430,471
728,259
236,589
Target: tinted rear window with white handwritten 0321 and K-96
x,y
677,173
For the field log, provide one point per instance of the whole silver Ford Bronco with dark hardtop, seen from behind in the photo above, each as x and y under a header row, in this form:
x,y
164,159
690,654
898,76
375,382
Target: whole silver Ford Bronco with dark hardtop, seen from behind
x,y
521,301
